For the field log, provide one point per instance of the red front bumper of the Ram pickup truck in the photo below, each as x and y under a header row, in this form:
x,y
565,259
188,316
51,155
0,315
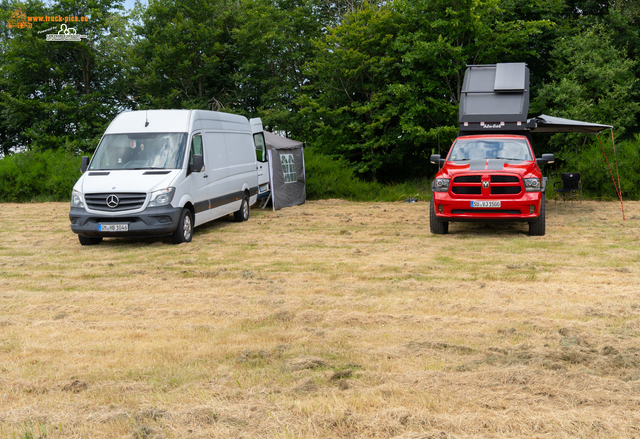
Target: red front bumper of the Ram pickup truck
x,y
524,209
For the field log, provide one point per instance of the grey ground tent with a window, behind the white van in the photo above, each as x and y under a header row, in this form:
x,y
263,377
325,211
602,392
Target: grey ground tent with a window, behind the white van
x,y
286,171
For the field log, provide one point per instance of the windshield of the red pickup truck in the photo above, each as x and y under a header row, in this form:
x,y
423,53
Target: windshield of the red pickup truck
x,y
482,149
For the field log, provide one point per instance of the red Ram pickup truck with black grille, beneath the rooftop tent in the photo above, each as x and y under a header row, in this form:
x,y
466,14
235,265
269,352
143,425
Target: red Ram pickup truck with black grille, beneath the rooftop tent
x,y
489,178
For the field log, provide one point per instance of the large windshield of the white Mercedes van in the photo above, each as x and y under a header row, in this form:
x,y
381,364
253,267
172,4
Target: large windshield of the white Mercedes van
x,y
140,151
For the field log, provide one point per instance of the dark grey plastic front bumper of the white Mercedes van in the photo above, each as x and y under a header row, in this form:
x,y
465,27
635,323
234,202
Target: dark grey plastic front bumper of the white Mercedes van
x,y
154,221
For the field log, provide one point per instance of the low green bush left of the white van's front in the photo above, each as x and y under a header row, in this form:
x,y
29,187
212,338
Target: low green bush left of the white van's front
x,y
38,176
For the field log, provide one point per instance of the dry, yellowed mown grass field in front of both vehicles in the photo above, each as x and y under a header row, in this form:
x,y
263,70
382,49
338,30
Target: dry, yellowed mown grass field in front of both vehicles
x,y
331,319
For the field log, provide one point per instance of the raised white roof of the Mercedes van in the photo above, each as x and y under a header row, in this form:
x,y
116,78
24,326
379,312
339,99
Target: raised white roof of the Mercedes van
x,y
175,121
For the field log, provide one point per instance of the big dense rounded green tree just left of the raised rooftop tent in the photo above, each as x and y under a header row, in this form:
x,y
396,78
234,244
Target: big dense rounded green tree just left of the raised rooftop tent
x,y
385,82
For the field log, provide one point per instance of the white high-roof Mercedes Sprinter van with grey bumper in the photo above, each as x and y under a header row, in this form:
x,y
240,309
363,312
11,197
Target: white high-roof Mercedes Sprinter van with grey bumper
x,y
163,172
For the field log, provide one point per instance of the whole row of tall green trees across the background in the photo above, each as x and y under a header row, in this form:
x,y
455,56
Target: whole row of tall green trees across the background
x,y
374,83
